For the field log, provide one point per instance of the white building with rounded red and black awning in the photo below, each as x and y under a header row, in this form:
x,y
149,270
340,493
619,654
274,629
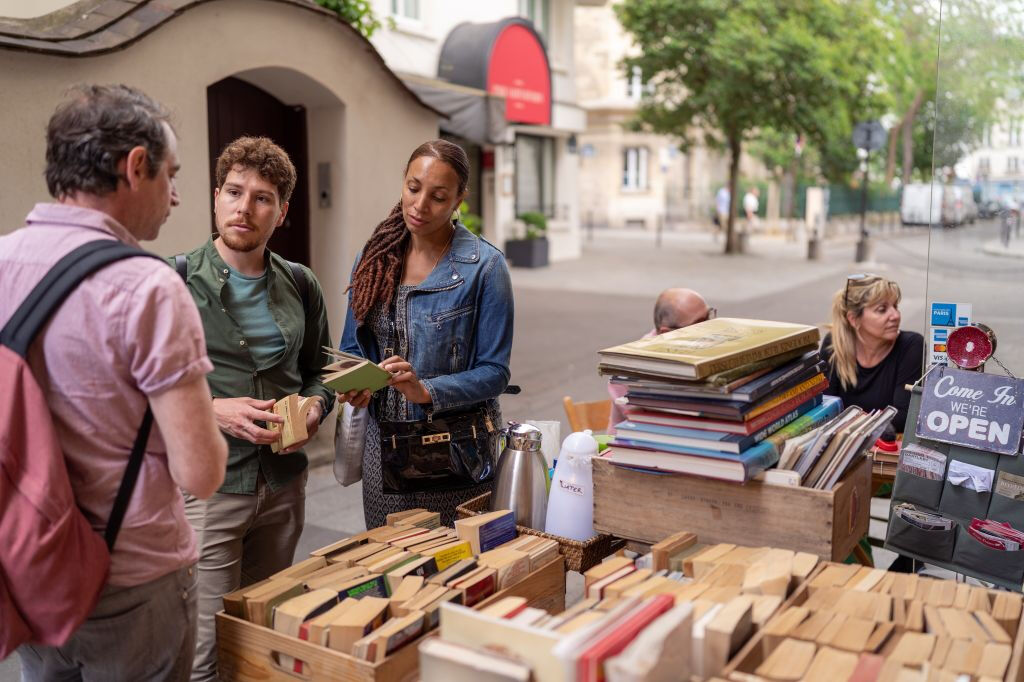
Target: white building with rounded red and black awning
x,y
504,72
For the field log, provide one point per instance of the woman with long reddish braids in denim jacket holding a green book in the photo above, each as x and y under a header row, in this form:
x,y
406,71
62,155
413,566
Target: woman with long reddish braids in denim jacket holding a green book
x,y
432,304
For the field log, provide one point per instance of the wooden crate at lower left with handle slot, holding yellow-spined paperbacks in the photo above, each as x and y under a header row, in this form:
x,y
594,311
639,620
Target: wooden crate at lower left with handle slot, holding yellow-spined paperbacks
x,y
248,653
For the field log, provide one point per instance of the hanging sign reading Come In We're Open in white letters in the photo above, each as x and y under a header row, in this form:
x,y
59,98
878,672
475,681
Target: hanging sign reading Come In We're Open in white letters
x,y
972,409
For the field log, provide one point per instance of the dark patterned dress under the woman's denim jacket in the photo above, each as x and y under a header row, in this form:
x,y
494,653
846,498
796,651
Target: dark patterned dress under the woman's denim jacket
x,y
377,504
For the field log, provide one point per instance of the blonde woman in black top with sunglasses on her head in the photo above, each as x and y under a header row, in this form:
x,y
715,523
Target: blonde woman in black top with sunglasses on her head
x,y
870,359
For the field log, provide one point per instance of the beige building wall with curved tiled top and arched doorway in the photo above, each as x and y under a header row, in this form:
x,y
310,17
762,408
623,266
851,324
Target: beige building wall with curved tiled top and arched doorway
x,y
287,69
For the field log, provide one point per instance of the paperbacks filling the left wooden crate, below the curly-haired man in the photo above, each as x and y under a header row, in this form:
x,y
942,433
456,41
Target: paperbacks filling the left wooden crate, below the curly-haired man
x,y
371,594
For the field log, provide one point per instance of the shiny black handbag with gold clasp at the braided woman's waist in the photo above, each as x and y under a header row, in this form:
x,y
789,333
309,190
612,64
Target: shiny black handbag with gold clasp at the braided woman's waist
x,y
446,453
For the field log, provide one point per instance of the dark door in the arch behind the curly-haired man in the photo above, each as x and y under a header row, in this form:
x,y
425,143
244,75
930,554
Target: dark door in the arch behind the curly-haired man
x,y
236,108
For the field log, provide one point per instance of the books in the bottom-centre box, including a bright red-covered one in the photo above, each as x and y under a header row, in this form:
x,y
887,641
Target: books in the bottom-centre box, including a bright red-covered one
x,y
632,624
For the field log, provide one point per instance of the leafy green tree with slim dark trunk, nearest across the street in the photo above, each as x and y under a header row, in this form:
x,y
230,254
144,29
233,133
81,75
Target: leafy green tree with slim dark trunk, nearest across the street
x,y
730,68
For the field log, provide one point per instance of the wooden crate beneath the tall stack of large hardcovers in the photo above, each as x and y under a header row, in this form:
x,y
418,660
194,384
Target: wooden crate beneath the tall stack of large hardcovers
x,y
648,508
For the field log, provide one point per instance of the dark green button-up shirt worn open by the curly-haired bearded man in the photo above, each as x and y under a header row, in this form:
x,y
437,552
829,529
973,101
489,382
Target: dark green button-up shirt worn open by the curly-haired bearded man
x,y
235,372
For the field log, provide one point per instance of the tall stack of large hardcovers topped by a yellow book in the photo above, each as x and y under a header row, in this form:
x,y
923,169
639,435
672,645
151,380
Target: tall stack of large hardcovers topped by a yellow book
x,y
717,399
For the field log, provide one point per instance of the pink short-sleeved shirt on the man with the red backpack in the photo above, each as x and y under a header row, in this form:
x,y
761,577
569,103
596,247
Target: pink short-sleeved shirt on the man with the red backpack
x,y
130,331
